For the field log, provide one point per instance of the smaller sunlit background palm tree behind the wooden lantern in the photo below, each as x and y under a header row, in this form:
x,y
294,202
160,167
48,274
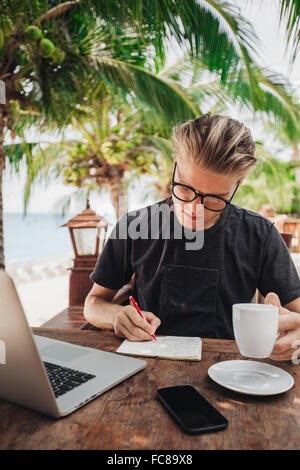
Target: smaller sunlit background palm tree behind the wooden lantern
x,y
100,154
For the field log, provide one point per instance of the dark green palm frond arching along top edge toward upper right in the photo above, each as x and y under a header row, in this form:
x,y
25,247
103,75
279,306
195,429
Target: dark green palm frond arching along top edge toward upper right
x,y
213,30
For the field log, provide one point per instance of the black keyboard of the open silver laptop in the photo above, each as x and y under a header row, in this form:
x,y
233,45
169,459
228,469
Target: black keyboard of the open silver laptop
x,y
63,379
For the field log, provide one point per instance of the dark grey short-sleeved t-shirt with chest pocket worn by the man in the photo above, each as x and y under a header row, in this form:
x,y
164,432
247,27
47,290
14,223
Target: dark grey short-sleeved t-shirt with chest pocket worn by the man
x,y
192,291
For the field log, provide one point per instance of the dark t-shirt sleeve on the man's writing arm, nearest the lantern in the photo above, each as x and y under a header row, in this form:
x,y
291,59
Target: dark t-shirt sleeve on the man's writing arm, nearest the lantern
x,y
113,267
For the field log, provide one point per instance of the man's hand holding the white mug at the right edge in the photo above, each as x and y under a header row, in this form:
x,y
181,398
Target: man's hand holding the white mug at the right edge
x,y
288,328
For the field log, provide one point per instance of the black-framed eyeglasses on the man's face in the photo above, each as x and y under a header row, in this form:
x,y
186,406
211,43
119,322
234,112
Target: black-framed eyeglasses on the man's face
x,y
212,202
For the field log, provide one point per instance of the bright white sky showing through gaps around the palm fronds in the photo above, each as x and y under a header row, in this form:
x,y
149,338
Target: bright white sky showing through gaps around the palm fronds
x,y
264,17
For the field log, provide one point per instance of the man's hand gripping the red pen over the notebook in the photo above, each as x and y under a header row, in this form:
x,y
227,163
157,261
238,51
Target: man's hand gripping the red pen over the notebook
x,y
129,324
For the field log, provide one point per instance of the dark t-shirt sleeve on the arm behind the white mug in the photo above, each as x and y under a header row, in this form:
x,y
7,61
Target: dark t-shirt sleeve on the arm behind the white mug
x,y
278,272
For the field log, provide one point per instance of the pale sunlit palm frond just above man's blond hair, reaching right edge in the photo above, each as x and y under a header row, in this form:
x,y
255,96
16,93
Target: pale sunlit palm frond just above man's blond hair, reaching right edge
x,y
272,96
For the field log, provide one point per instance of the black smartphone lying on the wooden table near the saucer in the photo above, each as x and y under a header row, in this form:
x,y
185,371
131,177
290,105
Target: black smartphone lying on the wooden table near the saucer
x,y
191,411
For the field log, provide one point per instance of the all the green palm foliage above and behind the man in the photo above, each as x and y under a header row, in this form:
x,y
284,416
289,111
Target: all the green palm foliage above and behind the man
x,y
64,64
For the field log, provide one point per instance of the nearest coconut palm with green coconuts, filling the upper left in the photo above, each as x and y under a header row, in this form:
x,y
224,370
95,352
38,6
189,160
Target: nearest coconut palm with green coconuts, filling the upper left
x,y
51,53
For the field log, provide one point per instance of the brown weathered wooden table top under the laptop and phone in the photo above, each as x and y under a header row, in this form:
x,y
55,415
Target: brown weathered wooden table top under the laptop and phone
x,y
129,416
